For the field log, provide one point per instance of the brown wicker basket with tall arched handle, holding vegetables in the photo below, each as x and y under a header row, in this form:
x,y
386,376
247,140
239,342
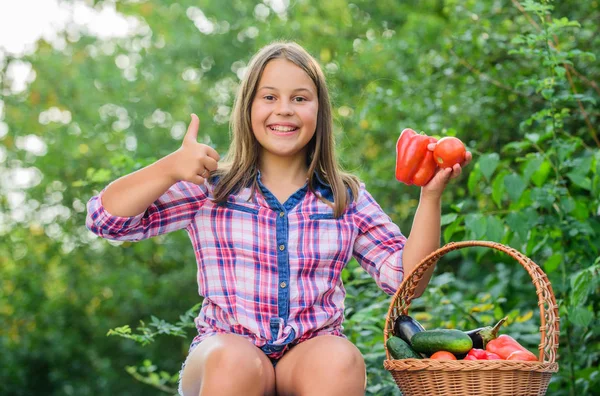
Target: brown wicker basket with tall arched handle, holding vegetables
x,y
472,377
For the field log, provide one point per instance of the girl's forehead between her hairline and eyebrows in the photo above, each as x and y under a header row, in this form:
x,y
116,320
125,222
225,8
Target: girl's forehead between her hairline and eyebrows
x,y
283,74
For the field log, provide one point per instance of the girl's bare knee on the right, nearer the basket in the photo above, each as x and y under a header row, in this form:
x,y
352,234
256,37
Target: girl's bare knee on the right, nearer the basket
x,y
324,365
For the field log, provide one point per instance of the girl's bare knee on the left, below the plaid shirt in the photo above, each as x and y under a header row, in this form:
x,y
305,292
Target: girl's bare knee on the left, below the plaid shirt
x,y
228,364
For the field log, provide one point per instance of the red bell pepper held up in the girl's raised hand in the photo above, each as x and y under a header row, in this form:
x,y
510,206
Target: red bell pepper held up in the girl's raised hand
x,y
414,162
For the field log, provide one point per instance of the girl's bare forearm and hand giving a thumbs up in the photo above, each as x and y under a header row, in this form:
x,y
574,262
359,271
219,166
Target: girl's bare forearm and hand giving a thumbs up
x,y
132,194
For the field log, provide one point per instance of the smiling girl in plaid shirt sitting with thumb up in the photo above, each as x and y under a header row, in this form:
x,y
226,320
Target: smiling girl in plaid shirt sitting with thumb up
x,y
272,228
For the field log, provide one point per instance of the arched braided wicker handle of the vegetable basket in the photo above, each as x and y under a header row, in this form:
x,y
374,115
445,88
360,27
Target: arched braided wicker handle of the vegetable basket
x,y
549,318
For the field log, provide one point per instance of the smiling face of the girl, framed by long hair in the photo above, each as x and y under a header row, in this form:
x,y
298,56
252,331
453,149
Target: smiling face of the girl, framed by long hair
x,y
284,110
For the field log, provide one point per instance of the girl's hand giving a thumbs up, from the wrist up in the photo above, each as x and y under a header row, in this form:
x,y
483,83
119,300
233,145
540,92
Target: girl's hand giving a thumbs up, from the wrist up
x,y
193,161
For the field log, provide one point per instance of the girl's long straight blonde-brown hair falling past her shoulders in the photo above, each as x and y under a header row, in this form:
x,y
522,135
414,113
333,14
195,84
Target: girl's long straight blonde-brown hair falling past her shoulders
x,y
240,166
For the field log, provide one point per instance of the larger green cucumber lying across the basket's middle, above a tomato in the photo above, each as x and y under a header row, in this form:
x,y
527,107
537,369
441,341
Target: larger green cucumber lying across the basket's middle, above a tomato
x,y
430,341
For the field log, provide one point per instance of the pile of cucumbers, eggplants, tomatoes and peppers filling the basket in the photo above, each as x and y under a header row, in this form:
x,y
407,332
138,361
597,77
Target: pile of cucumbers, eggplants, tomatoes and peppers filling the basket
x,y
410,340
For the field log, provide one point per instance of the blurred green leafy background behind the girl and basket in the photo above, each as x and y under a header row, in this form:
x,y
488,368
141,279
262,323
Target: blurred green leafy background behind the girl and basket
x,y
517,81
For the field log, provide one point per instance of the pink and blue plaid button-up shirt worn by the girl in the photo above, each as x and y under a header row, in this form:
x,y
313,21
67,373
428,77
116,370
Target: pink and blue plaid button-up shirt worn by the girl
x,y
268,271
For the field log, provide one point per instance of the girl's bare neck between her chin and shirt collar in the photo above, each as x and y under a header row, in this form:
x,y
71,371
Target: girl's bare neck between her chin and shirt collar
x,y
291,170
